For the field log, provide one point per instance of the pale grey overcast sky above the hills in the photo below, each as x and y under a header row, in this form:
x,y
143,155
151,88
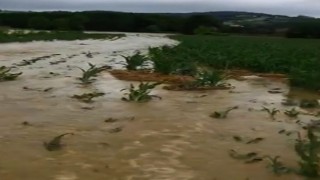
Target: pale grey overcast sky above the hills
x,y
285,7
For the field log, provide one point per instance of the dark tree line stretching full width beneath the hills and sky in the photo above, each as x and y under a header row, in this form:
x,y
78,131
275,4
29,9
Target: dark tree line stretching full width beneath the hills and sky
x,y
298,27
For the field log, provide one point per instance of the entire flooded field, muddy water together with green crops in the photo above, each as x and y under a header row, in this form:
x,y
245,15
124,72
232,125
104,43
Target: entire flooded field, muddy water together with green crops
x,y
138,106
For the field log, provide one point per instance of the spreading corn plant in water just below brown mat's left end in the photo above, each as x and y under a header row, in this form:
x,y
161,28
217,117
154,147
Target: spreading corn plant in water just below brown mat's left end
x,y
141,93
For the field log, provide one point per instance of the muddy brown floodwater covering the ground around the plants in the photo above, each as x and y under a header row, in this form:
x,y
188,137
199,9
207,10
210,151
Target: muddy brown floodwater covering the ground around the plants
x,y
169,139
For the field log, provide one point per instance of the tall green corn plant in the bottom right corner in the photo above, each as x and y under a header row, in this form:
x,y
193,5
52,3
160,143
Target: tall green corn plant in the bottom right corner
x,y
308,151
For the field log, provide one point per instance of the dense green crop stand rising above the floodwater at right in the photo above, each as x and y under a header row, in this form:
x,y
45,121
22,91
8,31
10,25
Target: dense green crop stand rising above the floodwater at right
x,y
298,58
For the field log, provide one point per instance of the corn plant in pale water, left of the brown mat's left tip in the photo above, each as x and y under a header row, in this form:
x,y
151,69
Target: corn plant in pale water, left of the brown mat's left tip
x,y
89,74
